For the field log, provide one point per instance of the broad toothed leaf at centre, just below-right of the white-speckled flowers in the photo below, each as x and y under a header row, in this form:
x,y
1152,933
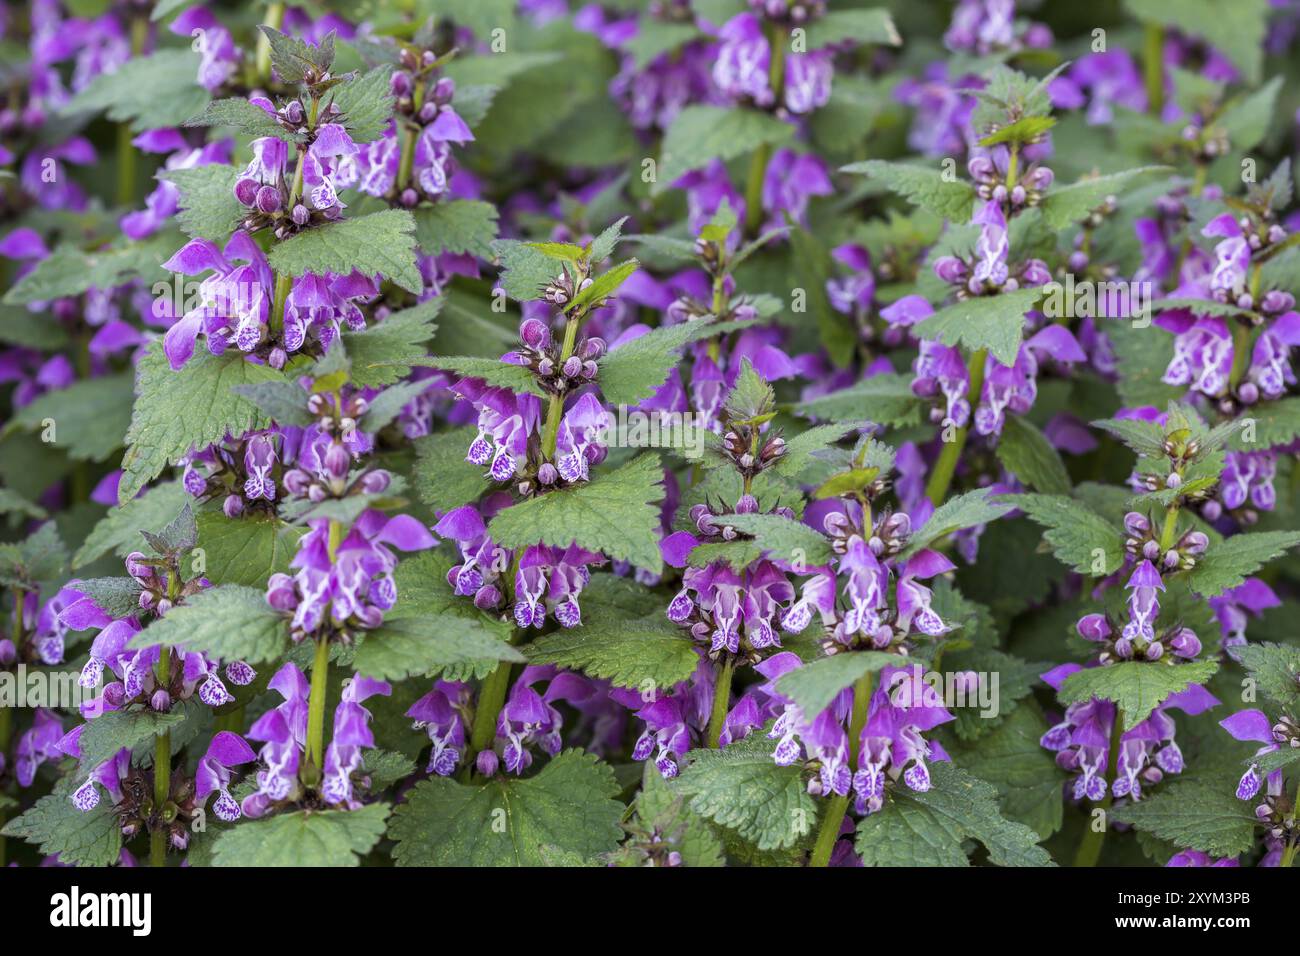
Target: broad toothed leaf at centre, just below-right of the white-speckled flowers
x,y
623,639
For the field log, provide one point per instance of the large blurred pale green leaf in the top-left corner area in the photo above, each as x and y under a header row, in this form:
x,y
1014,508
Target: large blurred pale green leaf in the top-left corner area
x,y
146,92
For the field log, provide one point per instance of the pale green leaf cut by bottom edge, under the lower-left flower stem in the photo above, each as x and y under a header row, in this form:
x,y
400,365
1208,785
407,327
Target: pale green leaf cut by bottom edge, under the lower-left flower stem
x,y
304,838
